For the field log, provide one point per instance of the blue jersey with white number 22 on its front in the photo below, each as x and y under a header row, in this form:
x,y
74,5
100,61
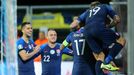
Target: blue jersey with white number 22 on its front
x,y
51,59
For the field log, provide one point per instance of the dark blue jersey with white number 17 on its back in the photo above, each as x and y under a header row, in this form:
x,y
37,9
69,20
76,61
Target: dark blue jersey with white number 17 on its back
x,y
81,51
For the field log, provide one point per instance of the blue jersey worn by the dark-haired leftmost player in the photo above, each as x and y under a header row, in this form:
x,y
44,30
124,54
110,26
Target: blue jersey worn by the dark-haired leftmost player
x,y
25,67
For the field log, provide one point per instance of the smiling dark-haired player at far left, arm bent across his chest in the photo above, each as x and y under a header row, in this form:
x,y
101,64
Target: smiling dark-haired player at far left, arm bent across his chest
x,y
26,51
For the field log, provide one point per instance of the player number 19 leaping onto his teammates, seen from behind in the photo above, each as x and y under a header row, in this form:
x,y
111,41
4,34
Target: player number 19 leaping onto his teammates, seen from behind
x,y
95,30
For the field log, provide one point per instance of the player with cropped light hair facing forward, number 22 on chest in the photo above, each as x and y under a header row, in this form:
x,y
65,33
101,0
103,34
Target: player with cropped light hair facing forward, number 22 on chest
x,y
51,55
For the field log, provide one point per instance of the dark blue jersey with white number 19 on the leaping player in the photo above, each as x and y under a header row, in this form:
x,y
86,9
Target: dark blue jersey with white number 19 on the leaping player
x,y
96,17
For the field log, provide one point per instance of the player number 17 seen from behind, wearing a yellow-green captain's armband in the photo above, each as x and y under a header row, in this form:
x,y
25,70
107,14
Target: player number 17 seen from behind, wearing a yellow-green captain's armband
x,y
84,61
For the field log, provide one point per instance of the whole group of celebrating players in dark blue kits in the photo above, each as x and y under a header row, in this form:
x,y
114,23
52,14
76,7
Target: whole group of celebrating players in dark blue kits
x,y
90,39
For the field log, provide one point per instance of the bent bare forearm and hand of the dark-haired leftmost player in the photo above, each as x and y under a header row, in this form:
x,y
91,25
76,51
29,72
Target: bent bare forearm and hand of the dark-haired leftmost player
x,y
25,56
